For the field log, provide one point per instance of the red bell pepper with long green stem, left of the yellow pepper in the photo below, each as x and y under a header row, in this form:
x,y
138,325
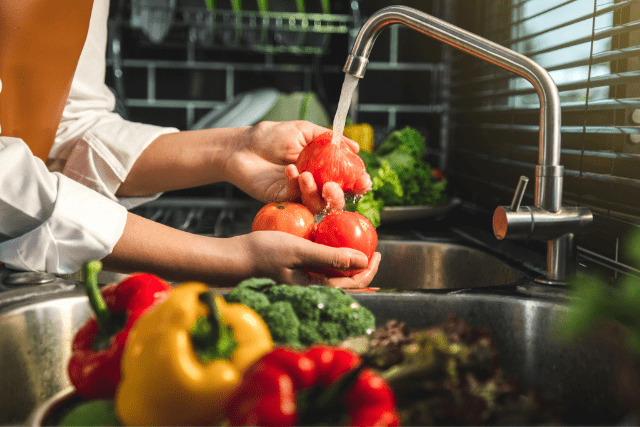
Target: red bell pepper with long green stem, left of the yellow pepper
x,y
96,350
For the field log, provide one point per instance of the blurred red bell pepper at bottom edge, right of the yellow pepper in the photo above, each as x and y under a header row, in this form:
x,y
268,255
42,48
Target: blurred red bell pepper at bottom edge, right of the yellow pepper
x,y
321,386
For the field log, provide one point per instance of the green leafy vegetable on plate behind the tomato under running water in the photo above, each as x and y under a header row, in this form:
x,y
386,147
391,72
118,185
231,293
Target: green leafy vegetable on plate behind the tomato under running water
x,y
400,176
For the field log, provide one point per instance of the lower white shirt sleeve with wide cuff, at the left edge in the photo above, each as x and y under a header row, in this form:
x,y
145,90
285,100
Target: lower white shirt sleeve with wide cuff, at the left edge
x,y
49,222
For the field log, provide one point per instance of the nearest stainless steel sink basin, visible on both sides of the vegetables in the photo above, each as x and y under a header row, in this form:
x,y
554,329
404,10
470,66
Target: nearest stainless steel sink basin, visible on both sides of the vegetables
x,y
35,338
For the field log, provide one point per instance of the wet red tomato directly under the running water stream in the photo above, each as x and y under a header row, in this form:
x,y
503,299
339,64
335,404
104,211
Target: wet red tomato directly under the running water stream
x,y
330,162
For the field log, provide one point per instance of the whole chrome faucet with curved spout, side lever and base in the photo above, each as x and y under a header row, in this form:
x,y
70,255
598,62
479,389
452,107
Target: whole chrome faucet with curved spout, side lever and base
x,y
548,219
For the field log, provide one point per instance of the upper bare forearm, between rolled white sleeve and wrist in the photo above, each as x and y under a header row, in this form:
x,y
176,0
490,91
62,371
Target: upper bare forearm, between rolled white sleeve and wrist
x,y
181,160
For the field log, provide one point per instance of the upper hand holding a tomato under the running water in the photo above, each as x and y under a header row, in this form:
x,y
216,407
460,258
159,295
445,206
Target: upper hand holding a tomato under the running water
x,y
263,166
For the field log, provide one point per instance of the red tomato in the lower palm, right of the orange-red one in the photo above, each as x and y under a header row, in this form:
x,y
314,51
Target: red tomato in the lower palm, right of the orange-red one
x,y
343,229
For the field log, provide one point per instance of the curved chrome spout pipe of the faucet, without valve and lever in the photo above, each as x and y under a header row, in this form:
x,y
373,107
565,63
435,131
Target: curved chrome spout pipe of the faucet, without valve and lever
x,y
548,190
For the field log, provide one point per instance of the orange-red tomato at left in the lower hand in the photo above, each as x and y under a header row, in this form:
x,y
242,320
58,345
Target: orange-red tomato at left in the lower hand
x,y
292,218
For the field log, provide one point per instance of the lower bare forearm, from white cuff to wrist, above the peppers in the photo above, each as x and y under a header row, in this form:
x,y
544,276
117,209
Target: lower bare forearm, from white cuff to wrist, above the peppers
x,y
176,255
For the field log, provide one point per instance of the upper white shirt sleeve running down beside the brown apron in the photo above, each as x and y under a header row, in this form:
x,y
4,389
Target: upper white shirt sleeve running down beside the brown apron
x,y
95,146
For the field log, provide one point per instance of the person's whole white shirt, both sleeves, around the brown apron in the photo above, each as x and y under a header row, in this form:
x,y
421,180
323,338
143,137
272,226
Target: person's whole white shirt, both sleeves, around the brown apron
x,y
58,216
